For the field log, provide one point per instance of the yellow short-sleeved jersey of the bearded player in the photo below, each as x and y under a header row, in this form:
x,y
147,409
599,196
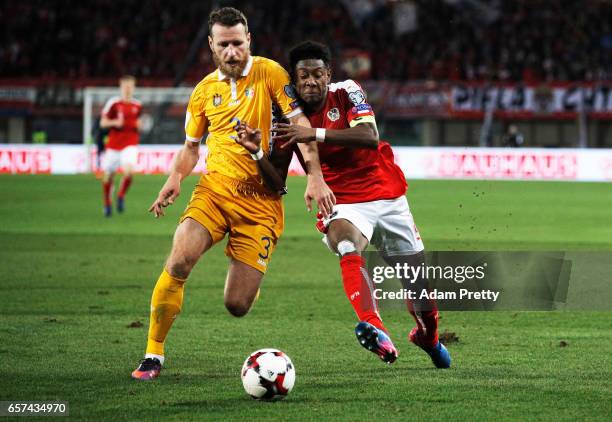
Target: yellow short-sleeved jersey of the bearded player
x,y
218,100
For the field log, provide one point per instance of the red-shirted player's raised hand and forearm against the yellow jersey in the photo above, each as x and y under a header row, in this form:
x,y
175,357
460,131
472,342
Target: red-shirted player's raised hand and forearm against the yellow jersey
x,y
273,168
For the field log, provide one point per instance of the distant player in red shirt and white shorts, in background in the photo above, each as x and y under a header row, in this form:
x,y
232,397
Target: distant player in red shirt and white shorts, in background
x,y
121,115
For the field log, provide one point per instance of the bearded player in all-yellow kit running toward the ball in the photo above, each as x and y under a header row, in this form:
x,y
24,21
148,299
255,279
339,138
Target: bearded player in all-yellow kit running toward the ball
x,y
231,198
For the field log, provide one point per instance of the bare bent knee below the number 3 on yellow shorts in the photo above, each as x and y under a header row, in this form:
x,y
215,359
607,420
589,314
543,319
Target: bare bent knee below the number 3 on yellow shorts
x,y
241,287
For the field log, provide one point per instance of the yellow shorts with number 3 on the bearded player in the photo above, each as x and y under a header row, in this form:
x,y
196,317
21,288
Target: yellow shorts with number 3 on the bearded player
x,y
253,217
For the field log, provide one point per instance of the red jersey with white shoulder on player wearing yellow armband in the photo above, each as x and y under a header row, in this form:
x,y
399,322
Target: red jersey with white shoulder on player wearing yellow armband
x,y
355,174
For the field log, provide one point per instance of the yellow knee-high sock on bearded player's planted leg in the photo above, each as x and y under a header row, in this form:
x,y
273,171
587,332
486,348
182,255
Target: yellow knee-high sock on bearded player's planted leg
x,y
166,304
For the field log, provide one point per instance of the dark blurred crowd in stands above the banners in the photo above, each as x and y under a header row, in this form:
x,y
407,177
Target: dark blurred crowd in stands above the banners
x,y
502,40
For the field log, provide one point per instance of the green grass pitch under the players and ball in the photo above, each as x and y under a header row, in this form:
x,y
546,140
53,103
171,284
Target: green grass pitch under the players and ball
x,y
72,283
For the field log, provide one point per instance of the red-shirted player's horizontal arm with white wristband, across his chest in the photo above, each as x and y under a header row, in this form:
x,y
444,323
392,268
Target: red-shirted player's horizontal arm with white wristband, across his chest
x,y
363,135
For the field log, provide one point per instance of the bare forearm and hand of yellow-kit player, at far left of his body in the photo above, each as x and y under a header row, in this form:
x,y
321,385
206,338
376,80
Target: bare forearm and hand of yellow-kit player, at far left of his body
x,y
184,163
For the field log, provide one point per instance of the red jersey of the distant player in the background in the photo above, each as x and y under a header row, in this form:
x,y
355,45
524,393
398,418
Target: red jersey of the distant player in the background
x,y
119,138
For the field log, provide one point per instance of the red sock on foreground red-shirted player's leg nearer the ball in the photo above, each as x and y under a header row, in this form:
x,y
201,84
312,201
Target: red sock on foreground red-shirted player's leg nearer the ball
x,y
359,290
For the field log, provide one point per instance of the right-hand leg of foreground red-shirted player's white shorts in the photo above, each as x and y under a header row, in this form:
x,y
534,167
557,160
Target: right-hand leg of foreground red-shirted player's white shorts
x,y
396,232
